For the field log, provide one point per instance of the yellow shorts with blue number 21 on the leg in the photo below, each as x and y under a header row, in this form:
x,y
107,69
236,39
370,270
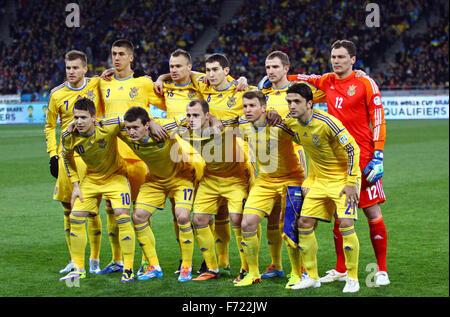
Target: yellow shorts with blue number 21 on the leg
x,y
323,200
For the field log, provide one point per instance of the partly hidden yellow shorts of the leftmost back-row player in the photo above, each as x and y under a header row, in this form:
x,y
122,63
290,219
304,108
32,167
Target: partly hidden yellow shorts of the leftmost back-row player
x,y
63,186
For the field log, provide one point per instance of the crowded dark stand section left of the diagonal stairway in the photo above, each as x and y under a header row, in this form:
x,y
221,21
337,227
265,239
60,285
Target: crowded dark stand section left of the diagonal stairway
x,y
34,61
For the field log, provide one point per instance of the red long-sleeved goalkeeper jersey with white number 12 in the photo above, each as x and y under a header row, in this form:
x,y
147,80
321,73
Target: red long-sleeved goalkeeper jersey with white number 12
x,y
356,102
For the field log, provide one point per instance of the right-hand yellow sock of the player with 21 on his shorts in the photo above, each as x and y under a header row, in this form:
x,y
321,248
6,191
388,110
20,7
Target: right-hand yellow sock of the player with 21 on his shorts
x,y
350,244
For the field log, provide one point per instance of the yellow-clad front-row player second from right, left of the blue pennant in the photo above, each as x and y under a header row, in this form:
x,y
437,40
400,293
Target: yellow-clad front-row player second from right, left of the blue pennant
x,y
277,167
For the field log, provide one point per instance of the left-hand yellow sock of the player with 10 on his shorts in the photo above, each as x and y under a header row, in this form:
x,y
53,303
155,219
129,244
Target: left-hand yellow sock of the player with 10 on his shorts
x,y
78,240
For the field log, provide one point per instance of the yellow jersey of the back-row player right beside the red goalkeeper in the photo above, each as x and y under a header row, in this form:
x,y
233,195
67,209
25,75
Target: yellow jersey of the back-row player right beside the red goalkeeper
x,y
276,98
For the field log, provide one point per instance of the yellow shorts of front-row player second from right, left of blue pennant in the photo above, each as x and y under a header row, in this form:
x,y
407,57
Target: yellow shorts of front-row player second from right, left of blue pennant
x,y
264,195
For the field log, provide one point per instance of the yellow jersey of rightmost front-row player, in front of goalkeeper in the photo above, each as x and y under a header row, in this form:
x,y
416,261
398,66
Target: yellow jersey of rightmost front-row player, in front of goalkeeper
x,y
332,152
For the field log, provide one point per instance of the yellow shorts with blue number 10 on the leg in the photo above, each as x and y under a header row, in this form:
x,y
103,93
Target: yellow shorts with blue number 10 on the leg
x,y
116,189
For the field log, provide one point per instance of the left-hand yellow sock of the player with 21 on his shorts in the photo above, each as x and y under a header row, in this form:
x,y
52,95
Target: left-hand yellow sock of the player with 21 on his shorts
x,y
308,250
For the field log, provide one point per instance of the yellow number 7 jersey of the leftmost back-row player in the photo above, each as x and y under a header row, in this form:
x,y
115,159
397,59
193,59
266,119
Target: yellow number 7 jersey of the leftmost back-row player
x,y
61,101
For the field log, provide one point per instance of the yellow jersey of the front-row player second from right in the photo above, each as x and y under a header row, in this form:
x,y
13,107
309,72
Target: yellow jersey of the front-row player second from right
x,y
272,150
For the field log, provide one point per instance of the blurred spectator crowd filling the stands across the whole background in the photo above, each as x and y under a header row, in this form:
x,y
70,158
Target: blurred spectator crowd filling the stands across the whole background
x,y
34,60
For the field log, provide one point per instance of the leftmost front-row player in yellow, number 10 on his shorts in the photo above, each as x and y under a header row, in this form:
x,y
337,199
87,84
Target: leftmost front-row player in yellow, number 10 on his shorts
x,y
105,177
